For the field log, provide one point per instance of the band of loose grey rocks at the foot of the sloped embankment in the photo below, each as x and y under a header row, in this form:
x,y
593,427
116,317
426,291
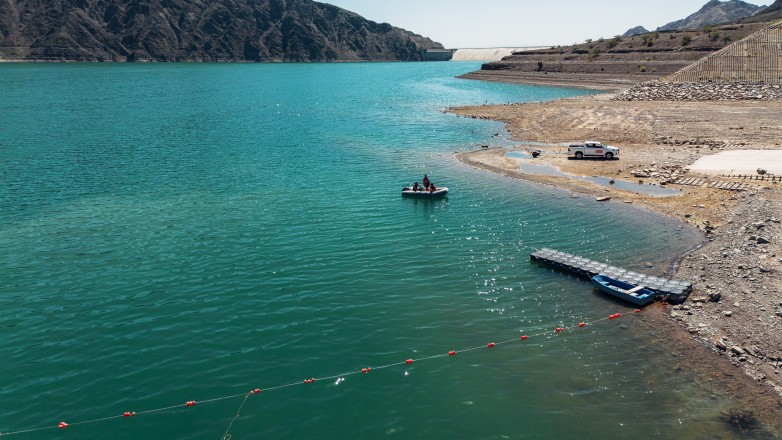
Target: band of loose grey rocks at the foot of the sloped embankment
x,y
678,91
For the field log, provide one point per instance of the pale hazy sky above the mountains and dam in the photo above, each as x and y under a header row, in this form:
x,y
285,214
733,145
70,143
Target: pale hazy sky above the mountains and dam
x,y
519,23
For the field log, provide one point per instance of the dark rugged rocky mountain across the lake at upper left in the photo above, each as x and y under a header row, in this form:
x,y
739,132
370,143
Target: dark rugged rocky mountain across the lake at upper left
x,y
198,30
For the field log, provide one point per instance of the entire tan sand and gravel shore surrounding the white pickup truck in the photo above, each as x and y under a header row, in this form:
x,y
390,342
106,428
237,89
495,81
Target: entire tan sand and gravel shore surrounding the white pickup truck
x,y
732,322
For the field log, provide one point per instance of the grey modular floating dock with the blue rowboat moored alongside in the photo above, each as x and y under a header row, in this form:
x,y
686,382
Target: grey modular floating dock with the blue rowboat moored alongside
x,y
676,291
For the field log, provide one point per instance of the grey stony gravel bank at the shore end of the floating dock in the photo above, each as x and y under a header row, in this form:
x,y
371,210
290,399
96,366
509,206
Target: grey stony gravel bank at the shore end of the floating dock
x,y
737,307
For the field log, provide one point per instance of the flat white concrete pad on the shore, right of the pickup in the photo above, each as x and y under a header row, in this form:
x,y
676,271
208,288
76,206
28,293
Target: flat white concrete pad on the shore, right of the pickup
x,y
740,162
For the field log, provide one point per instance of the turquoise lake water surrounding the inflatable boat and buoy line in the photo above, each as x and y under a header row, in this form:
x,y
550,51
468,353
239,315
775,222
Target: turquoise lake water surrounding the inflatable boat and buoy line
x,y
191,232
